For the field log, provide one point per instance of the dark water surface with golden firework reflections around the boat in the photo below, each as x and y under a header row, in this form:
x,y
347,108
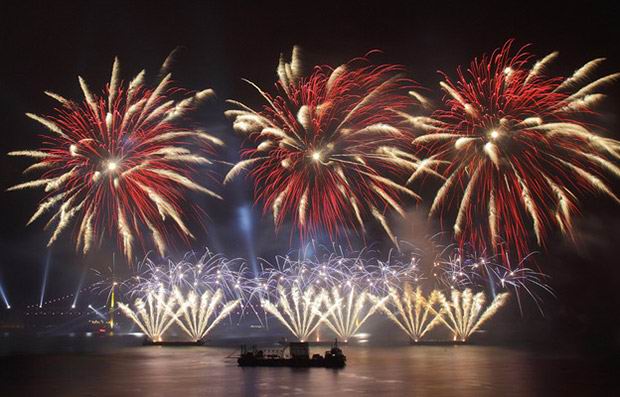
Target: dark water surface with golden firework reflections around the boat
x,y
60,369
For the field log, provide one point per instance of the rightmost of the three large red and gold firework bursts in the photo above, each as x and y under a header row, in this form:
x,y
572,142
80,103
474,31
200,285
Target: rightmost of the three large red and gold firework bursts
x,y
512,146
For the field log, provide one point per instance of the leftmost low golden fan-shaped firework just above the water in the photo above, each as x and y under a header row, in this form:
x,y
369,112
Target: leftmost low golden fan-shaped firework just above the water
x,y
153,314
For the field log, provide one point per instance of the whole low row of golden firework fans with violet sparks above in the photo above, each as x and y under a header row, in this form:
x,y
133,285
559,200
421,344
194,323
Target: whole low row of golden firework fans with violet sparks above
x,y
321,286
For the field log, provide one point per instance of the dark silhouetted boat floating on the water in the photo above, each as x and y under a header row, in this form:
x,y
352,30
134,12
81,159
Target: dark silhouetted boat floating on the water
x,y
296,354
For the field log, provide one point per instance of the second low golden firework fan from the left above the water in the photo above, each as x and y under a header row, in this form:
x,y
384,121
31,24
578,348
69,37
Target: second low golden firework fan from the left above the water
x,y
198,314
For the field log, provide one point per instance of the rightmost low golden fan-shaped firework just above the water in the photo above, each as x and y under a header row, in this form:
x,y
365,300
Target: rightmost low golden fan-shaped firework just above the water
x,y
465,313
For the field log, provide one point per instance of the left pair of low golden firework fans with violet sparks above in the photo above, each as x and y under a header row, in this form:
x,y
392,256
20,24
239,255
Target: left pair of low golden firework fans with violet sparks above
x,y
196,293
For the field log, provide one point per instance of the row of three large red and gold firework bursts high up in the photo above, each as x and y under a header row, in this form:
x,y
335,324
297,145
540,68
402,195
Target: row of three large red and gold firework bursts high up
x,y
512,146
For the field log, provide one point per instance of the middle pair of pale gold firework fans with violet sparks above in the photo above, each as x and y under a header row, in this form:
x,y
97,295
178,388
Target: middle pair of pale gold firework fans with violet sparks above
x,y
308,276
